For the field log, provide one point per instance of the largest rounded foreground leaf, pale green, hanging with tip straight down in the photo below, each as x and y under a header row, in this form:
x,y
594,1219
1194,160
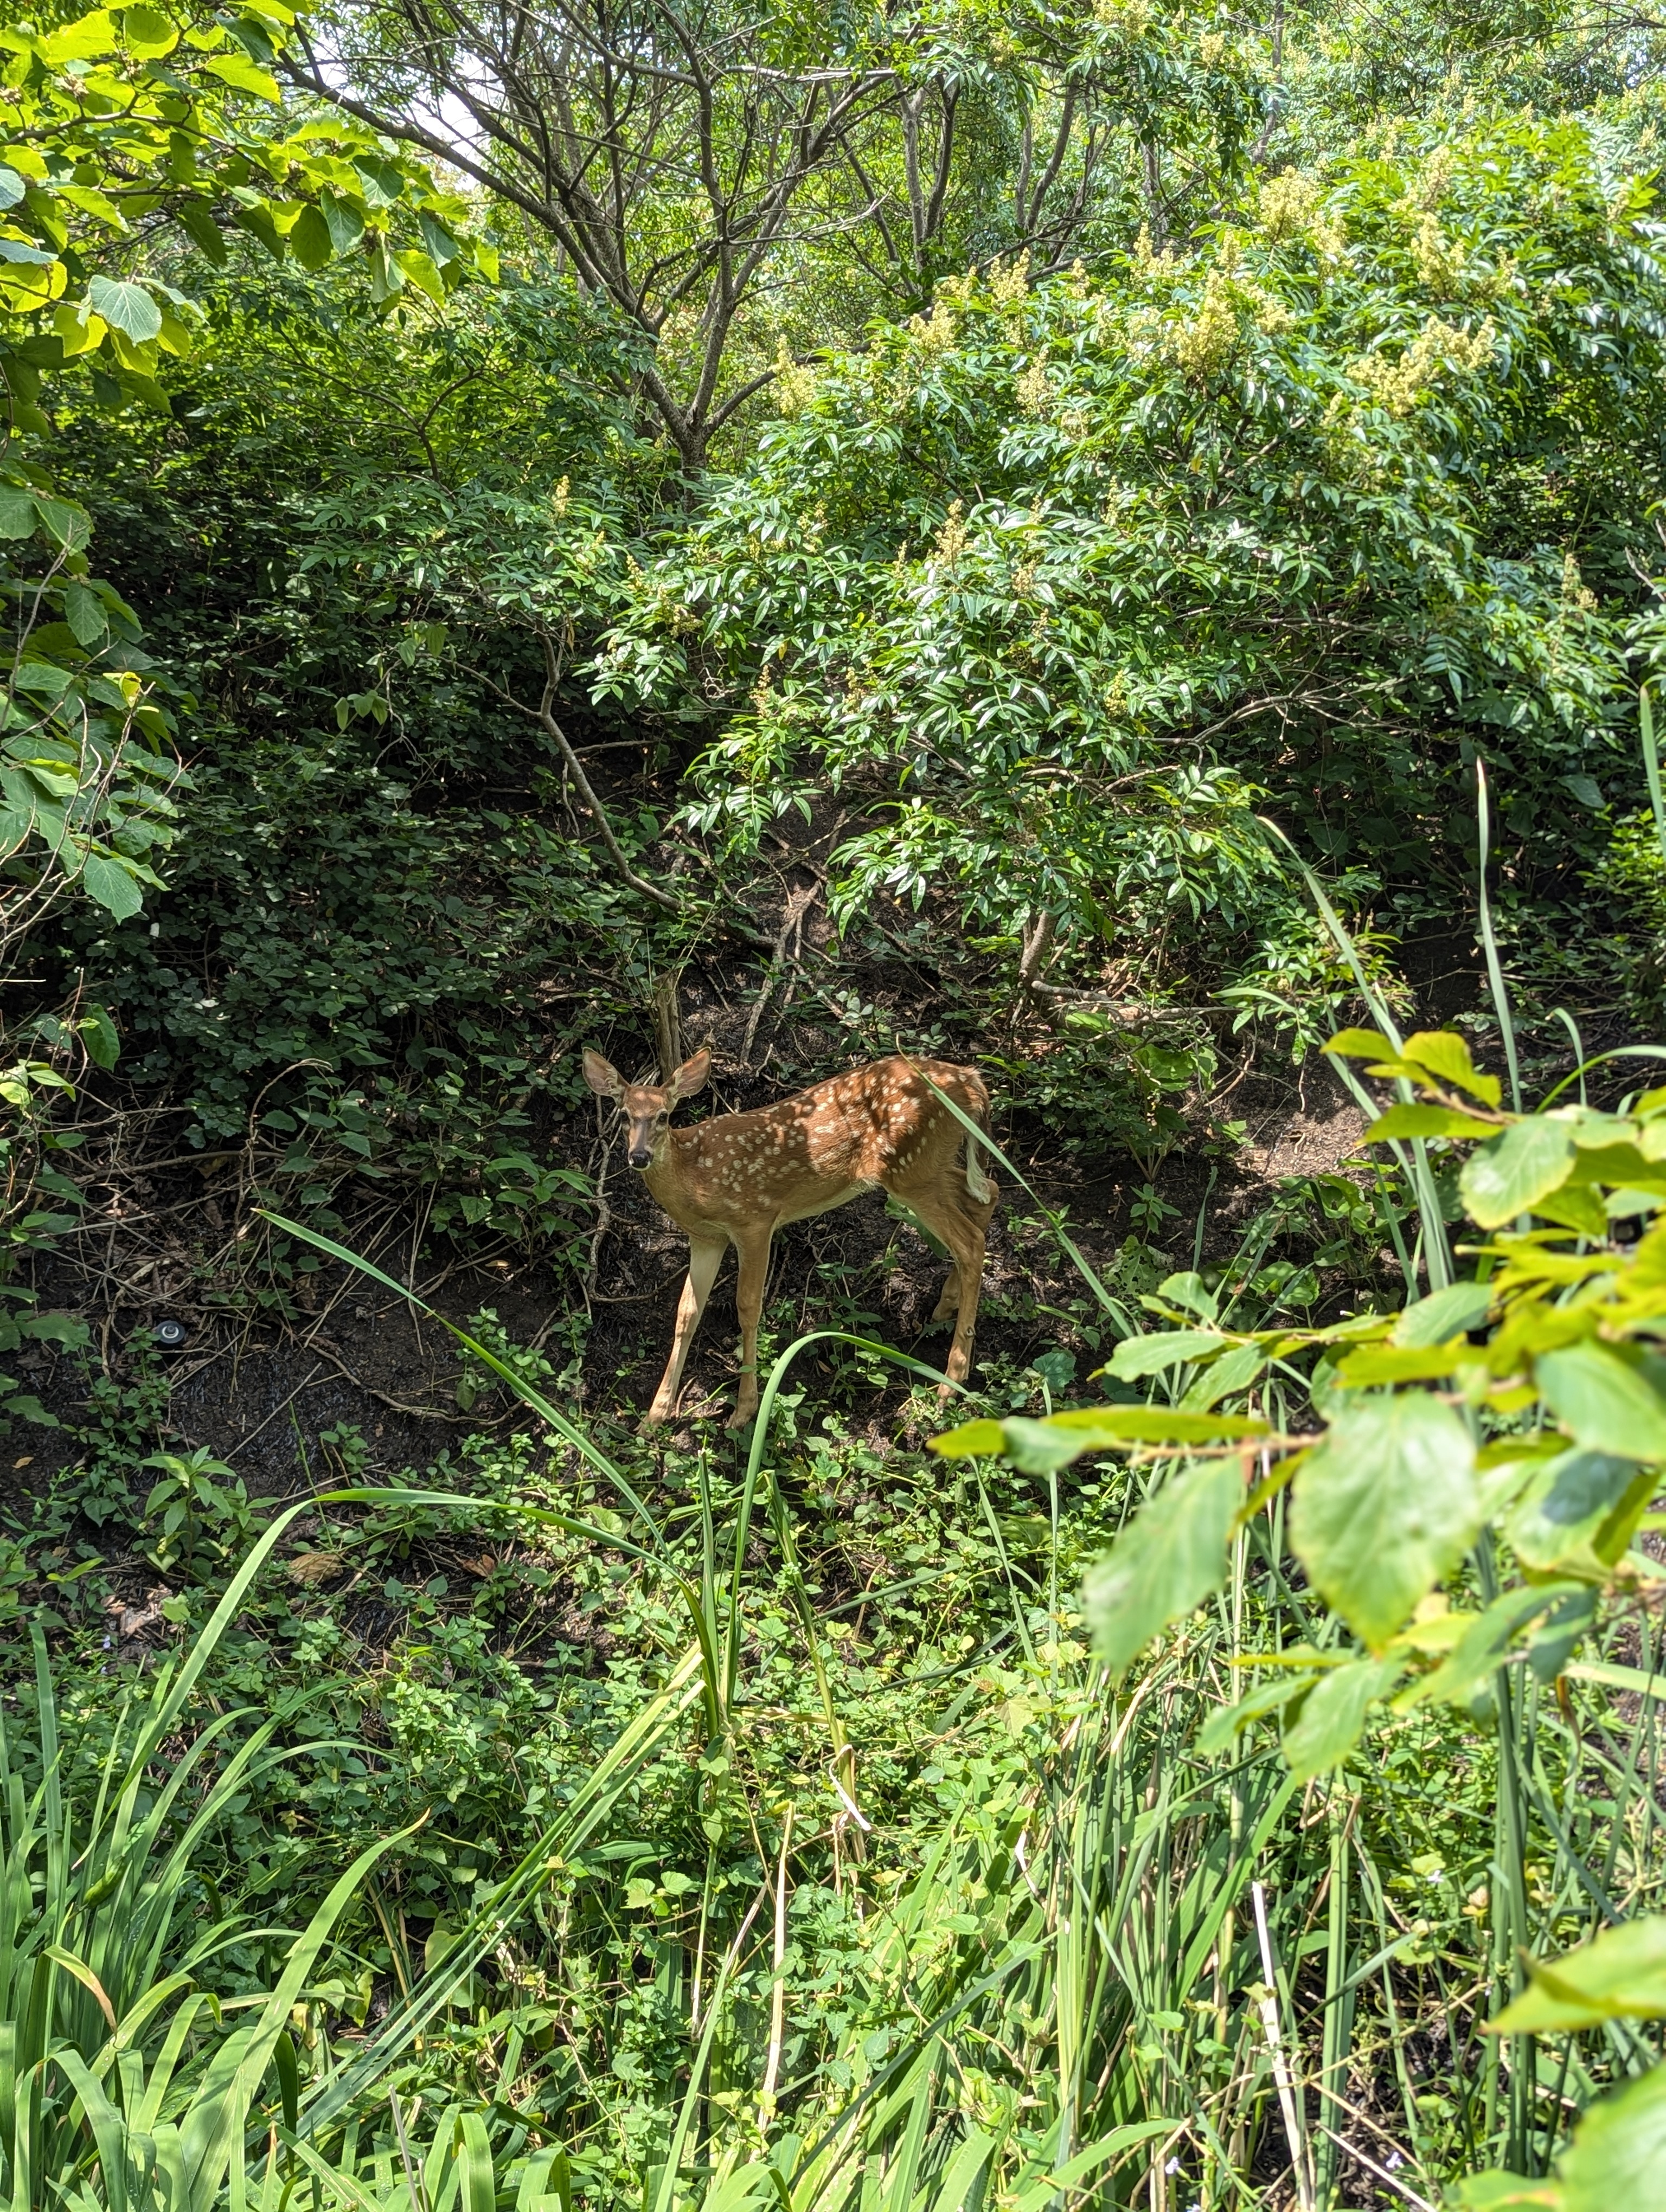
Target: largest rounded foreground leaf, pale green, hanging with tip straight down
x,y
1386,1507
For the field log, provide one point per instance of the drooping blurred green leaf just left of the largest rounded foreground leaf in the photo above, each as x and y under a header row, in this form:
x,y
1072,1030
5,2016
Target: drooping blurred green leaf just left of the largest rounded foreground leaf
x,y
1165,1565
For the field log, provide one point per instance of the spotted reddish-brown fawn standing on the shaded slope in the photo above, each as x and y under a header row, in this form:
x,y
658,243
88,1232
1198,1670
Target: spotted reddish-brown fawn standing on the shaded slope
x,y
738,1178
